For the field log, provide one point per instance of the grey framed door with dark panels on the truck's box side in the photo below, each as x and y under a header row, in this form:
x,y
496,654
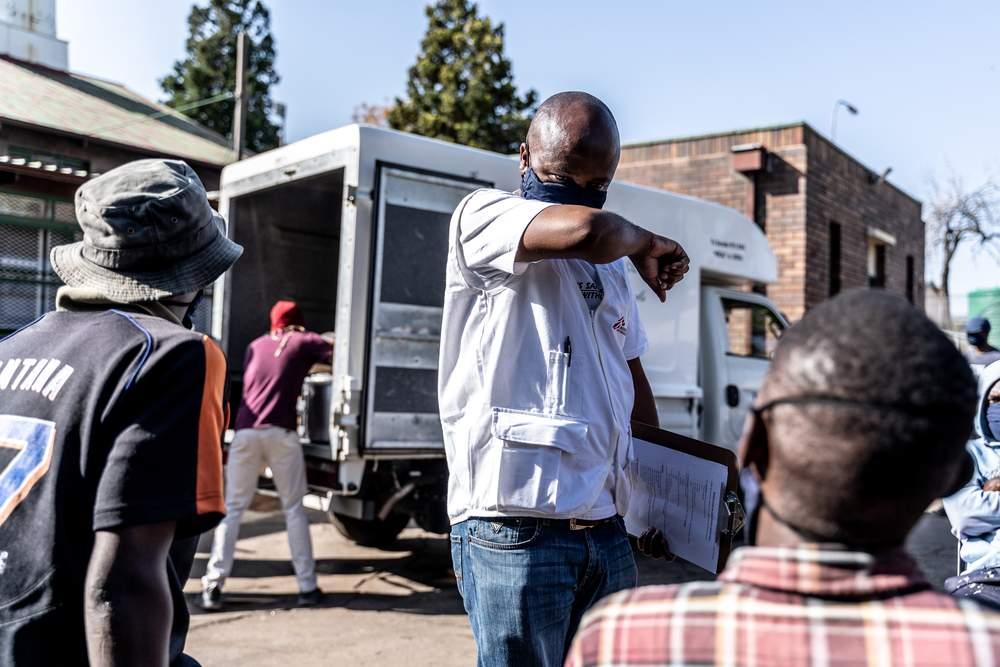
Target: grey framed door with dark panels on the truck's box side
x,y
411,249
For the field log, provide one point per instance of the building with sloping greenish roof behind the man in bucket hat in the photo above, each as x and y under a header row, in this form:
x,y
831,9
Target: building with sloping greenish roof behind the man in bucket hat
x,y
57,129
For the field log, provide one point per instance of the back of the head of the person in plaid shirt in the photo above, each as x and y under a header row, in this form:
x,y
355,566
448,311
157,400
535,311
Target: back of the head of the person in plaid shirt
x,y
872,408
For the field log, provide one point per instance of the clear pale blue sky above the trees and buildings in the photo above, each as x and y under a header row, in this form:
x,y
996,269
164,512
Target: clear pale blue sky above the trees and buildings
x,y
924,75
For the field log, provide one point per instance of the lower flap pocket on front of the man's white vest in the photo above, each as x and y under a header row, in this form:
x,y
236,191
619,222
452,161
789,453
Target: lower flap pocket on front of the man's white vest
x,y
531,450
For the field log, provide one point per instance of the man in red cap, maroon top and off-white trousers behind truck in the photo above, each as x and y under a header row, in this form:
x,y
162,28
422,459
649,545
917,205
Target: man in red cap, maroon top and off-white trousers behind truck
x,y
273,371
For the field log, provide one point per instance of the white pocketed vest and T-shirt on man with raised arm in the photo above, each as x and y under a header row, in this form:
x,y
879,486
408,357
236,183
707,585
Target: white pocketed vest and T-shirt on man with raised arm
x,y
534,388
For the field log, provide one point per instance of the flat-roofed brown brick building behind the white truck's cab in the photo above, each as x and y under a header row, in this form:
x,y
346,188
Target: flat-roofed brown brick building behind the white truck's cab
x,y
832,222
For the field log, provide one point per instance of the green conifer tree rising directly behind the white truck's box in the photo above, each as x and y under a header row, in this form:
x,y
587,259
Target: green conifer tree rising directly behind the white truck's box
x,y
461,88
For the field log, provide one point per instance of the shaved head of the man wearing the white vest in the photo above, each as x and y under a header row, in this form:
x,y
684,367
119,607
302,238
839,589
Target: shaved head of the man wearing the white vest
x,y
573,136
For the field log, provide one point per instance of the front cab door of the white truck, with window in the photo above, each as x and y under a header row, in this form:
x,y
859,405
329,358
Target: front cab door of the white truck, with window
x,y
743,329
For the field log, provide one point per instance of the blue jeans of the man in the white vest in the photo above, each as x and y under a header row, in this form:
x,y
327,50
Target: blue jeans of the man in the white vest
x,y
527,582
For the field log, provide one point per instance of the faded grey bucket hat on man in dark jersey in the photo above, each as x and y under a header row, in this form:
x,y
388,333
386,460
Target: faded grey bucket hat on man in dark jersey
x,y
148,233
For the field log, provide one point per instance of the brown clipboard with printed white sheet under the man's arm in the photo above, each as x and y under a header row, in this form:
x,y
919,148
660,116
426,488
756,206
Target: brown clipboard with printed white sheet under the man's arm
x,y
699,520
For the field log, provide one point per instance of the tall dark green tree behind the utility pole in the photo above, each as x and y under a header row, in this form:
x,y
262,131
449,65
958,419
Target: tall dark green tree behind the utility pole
x,y
209,69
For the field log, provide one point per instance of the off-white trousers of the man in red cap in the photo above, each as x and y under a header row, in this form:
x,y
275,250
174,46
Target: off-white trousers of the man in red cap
x,y
279,449
